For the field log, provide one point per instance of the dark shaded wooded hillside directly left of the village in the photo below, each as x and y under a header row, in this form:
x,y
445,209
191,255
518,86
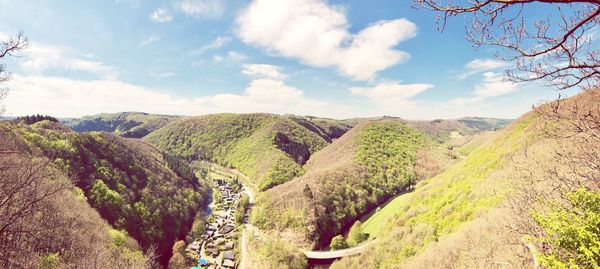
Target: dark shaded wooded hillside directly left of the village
x,y
134,187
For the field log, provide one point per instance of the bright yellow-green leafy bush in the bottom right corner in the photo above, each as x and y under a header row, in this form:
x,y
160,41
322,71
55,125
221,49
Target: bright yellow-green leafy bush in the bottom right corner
x,y
572,232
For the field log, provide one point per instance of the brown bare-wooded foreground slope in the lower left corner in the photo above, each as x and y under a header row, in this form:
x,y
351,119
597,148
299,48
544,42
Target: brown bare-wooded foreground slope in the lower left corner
x,y
46,221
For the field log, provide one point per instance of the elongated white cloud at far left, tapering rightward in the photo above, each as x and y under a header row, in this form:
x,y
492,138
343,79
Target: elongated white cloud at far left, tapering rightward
x,y
40,57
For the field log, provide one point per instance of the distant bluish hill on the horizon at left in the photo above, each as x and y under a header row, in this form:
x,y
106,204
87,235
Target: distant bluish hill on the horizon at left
x,y
125,124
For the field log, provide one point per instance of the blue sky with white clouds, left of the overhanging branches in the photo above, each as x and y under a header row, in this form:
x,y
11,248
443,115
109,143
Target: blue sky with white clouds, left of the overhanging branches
x,y
336,59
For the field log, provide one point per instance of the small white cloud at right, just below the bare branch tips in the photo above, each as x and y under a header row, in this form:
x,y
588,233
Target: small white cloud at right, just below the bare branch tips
x,y
492,85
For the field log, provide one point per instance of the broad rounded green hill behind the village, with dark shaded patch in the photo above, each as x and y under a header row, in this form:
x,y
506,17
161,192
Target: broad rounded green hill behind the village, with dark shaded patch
x,y
269,149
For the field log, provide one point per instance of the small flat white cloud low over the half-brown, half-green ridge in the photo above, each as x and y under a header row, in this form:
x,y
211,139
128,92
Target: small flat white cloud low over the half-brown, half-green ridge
x,y
391,94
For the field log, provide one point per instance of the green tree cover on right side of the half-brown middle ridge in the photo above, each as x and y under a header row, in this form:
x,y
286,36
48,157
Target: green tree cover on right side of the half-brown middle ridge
x,y
386,152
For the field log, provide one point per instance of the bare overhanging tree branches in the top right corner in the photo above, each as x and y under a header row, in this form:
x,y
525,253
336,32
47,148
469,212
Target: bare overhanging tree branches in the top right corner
x,y
559,49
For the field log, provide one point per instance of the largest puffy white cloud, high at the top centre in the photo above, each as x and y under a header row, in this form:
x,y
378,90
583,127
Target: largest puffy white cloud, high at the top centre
x,y
317,34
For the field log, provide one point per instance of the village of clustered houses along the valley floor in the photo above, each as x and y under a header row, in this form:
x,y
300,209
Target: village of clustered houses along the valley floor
x,y
217,246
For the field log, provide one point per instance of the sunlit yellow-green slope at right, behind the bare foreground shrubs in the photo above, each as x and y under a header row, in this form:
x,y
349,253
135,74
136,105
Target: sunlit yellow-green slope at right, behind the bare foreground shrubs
x,y
460,207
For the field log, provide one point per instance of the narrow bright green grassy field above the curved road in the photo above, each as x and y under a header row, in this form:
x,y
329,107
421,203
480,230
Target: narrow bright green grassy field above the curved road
x,y
374,223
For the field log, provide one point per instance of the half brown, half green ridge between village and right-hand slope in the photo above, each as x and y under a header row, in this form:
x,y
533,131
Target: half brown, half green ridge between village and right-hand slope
x,y
364,167
